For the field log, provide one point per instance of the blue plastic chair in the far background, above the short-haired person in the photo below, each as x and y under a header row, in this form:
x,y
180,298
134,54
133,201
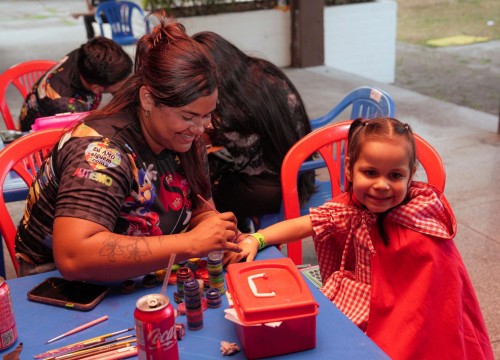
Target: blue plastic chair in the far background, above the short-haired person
x,y
120,16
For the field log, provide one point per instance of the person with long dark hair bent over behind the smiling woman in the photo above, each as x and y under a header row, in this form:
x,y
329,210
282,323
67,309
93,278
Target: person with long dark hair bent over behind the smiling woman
x,y
259,116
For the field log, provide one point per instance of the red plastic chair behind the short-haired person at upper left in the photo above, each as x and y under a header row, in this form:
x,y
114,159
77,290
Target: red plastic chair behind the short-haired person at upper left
x,y
23,76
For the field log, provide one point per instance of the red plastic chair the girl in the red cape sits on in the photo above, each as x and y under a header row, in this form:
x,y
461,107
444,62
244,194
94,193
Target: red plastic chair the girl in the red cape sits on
x,y
328,142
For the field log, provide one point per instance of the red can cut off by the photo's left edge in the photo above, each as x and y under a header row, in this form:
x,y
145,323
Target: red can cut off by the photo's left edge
x,y
8,329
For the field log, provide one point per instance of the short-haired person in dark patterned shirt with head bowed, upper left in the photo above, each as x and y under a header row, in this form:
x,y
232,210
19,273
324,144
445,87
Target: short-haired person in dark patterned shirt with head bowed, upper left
x,y
77,82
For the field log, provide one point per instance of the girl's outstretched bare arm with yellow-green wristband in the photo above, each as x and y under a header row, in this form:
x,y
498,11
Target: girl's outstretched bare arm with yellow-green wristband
x,y
283,232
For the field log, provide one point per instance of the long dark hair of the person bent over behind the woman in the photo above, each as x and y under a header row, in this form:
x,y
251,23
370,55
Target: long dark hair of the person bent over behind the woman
x,y
256,97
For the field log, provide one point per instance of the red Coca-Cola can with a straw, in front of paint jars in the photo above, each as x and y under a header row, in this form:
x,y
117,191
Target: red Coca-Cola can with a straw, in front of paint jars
x,y
155,328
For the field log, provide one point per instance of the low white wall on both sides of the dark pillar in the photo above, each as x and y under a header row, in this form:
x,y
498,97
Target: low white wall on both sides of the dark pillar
x,y
359,38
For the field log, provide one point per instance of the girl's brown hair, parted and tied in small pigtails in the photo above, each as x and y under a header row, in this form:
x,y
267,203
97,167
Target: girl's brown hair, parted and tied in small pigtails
x,y
383,129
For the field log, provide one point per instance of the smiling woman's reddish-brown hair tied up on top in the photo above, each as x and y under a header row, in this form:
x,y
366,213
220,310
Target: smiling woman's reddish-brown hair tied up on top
x,y
177,71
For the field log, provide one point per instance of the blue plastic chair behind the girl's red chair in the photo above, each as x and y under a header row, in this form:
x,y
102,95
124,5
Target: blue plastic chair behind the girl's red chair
x,y
366,102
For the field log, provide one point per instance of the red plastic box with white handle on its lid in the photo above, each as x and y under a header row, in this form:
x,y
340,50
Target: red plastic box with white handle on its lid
x,y
272,307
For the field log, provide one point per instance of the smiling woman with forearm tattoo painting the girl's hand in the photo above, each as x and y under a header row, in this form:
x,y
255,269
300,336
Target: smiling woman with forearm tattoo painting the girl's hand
x,y
118,194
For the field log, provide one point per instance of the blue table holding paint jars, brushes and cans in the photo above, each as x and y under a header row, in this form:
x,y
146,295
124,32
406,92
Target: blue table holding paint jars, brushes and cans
x,y
337,336
